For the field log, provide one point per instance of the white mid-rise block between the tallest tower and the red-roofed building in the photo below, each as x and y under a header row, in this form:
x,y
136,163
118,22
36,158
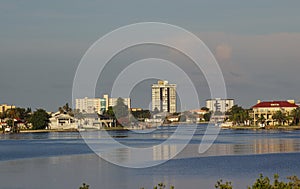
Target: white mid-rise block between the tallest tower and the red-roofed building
x,y
219,105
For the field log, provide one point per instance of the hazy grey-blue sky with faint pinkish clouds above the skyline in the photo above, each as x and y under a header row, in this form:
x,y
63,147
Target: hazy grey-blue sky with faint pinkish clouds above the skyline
x,y
256,43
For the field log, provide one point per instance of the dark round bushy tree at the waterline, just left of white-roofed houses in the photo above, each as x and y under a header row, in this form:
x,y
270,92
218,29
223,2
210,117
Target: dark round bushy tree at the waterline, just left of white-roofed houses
x,y
40,119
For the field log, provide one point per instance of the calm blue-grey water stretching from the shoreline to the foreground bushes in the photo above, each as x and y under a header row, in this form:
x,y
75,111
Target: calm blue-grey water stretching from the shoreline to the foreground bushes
x,y
63,160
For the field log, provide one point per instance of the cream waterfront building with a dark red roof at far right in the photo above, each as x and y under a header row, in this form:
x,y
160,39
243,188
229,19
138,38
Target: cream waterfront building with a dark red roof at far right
x,y
266,110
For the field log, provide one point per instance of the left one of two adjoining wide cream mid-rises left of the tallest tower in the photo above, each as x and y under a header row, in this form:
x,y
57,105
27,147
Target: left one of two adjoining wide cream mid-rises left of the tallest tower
x,y
90,105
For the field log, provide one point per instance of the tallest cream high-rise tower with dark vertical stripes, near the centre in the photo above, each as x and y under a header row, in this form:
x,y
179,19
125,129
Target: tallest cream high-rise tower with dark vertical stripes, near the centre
x,y
164,97
